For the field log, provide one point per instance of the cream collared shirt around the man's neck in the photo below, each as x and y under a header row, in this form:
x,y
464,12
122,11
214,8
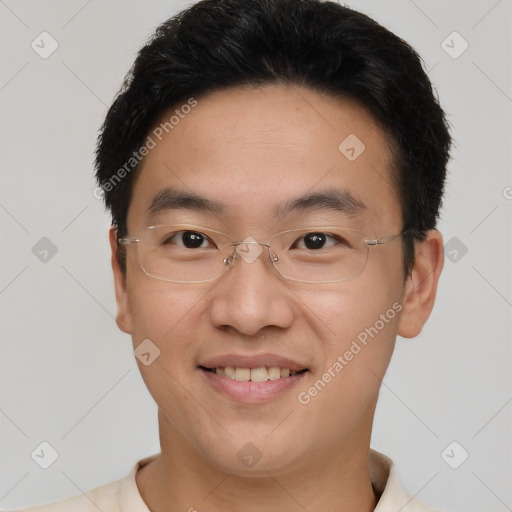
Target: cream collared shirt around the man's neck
x,y
123,495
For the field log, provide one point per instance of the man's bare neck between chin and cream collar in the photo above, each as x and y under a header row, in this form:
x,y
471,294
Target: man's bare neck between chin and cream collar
x,y
182,479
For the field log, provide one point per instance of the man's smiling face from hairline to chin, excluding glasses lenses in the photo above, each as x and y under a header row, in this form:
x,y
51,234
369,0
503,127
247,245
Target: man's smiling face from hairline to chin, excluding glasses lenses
x,y
251,153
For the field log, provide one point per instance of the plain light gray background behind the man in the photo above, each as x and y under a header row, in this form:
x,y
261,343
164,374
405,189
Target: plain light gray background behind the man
x,y
68,375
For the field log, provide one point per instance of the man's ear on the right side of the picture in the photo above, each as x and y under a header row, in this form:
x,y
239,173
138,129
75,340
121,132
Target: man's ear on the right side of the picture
x,y
421,285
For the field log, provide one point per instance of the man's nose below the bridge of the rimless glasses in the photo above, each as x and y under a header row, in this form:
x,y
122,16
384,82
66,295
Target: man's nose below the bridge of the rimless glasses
x,y
251,297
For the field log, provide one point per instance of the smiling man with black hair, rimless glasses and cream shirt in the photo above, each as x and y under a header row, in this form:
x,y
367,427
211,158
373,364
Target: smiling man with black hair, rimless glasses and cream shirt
x,y
274,170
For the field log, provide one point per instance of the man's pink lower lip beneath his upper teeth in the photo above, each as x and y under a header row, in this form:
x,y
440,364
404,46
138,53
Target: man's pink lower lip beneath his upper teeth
x,y
249,392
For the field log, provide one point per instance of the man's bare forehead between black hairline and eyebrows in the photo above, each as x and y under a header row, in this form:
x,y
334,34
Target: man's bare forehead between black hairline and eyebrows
x,y
255,150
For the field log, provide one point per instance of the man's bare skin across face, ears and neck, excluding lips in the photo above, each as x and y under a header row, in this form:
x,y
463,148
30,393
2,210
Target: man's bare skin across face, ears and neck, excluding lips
x,y
253,149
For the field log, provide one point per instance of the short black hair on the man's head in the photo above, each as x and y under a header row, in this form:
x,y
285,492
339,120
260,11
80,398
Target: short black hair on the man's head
x,y
322,45
